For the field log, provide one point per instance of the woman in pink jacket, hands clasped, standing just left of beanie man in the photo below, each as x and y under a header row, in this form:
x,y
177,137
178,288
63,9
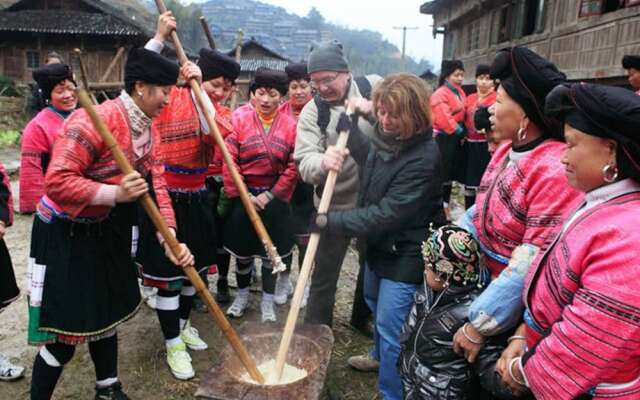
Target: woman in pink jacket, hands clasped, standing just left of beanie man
x,y
262,148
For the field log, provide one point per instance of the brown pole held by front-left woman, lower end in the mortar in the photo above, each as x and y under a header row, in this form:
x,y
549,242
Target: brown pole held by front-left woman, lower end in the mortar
x,y
162,227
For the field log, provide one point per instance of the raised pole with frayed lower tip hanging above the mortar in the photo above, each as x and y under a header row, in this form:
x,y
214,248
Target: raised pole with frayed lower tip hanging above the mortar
x,y
270,249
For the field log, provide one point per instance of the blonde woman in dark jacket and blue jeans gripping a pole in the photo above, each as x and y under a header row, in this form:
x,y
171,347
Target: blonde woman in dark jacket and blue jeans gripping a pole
x,y
400,195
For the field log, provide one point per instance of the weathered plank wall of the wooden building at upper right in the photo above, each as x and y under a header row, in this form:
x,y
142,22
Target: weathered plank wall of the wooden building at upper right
x,y
583,48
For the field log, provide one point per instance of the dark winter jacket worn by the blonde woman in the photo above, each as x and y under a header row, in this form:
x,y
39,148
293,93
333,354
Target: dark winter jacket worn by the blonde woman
x,y
400,195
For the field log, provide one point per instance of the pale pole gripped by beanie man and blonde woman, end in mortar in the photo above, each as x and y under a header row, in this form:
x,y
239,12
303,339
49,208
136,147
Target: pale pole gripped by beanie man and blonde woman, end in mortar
x,y
307,264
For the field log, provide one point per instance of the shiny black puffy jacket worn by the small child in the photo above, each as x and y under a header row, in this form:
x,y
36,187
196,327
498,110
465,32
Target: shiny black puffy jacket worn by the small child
x,y
429,367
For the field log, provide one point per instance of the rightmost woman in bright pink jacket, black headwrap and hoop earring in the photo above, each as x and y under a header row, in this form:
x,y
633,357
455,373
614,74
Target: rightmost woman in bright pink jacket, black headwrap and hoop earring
x,y
581,303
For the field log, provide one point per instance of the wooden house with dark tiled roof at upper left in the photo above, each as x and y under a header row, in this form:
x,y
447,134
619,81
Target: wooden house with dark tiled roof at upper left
x,y
30,29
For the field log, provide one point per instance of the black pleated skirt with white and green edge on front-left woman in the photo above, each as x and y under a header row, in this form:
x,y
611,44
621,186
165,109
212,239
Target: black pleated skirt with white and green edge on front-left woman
x,y
90,282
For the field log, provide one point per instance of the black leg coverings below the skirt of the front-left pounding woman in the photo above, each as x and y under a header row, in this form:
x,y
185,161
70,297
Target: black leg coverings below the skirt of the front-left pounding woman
x,y
104,353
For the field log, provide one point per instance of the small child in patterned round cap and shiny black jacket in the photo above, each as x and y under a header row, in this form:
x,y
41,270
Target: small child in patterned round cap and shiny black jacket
x,y
429,367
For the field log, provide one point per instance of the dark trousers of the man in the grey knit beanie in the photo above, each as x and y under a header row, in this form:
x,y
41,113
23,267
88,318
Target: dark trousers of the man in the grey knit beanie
x,y
322,295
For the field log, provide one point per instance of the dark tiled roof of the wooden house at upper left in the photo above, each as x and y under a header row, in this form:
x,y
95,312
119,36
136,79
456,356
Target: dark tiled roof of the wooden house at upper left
x,y
66,22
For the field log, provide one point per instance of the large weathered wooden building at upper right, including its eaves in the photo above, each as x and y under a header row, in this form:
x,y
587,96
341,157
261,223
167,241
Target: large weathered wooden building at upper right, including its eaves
x,y
586,39
